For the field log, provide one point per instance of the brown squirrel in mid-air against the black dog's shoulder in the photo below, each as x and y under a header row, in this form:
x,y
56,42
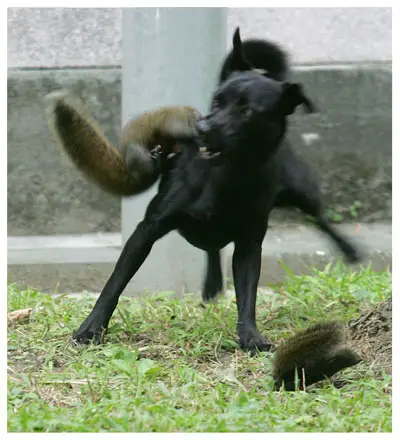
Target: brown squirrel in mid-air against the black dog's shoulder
x,y
135,164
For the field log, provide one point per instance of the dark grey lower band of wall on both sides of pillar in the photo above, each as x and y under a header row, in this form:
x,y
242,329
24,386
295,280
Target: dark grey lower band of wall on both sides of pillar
x,y
348,142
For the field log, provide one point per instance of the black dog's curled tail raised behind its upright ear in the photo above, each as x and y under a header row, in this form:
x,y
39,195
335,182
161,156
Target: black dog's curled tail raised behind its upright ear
x,y
266,56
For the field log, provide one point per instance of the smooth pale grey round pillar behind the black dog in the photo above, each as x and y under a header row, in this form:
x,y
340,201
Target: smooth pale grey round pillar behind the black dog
x,y
170,56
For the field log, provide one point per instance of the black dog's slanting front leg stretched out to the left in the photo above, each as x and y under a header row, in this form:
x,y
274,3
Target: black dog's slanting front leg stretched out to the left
x,y
158,221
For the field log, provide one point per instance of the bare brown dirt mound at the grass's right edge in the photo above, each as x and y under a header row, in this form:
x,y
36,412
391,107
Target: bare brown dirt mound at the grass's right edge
x,y
371,336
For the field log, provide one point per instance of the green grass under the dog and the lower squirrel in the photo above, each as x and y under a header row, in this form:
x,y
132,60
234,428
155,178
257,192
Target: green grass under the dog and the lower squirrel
x,y
170,365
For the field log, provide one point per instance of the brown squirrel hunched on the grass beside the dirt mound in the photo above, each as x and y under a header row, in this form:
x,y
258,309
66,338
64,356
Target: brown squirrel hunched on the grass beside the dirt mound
x,y
313,354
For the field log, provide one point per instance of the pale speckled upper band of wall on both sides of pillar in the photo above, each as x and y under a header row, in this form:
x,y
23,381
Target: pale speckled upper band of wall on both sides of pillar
x,y
80,37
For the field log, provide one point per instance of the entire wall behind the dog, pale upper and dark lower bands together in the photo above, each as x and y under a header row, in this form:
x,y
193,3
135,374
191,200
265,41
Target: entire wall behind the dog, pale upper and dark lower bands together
x,y
355,106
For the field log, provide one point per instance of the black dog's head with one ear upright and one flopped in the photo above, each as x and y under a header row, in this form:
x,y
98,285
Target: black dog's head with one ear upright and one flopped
x,y
248,109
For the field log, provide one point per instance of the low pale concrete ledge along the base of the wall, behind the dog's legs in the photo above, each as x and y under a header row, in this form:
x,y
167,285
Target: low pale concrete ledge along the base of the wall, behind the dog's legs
x,y
84,263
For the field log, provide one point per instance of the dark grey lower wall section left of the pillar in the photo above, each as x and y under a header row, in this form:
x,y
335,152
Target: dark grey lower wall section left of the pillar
x,y
46,194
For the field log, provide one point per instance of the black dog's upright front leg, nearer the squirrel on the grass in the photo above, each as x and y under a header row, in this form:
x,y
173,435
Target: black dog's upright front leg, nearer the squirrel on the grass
x,y
246,266
